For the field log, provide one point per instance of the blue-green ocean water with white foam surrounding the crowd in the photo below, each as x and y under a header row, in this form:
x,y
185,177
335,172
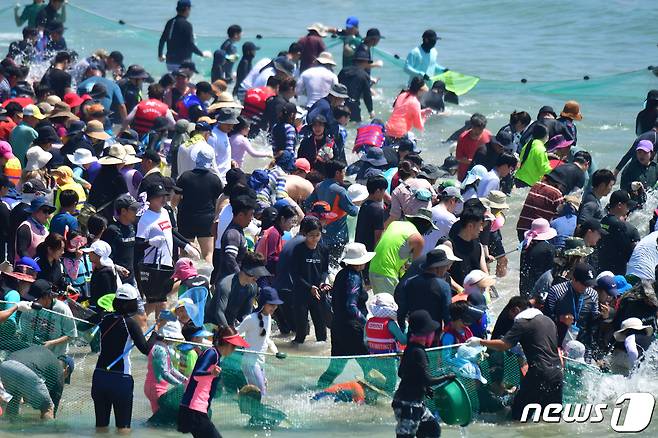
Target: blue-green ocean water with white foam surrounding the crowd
x,y
553,46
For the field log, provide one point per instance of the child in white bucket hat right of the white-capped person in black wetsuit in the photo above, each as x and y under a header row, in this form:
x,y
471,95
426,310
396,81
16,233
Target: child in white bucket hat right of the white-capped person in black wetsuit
x,y
161,369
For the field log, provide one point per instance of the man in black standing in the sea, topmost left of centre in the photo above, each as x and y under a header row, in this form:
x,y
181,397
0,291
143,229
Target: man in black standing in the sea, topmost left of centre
x,y
178,35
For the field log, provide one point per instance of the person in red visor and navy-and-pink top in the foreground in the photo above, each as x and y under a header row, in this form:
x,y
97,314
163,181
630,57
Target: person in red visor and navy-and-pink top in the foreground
x,y
202,385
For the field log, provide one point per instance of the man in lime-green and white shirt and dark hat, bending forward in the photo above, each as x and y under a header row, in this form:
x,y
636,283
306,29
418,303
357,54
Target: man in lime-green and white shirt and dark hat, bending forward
x,y
401,242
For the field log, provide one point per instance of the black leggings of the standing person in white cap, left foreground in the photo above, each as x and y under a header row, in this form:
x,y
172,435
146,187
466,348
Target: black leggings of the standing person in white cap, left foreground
x,y
112,390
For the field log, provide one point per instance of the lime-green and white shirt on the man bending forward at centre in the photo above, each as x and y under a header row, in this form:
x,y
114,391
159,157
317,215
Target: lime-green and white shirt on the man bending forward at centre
x,y
387,261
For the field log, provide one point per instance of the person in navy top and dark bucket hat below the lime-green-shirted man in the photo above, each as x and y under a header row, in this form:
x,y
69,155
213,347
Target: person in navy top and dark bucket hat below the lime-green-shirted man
x,y
429,290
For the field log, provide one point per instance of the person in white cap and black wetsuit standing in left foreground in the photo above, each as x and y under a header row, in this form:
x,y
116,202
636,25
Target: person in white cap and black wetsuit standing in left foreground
x,y
112,384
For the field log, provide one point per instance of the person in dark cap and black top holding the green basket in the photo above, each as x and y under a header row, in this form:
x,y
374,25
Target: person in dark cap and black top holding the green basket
x,y
413,418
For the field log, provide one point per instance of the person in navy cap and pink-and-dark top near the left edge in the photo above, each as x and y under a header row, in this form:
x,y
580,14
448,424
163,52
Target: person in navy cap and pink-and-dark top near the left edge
x,y
32,231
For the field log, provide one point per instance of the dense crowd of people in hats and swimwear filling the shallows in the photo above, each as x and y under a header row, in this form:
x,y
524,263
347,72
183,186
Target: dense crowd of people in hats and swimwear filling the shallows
x,y
109,192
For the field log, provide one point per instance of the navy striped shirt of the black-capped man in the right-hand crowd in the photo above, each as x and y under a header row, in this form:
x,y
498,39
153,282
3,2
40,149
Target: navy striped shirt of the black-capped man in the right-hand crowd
x,y
563,300
